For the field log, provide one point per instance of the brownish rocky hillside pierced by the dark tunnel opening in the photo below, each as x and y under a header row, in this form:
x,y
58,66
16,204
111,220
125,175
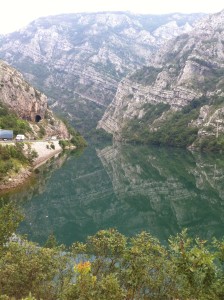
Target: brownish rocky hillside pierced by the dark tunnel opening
x,y
29,104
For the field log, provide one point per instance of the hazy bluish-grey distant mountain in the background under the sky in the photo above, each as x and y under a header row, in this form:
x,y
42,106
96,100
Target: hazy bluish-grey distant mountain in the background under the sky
x,y
78,60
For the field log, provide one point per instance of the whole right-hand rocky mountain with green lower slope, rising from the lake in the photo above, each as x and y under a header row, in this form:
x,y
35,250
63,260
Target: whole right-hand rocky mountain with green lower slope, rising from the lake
x,y
187,73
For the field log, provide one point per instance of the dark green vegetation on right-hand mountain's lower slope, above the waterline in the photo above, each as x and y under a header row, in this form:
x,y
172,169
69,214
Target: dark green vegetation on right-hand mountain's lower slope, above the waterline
x,y
175,130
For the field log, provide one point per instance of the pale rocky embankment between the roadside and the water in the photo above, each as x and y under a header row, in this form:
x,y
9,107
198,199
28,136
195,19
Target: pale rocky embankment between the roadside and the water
x,y
45,151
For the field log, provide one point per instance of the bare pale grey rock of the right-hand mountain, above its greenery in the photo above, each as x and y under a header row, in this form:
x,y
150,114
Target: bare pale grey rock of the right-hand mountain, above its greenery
x,y
189,67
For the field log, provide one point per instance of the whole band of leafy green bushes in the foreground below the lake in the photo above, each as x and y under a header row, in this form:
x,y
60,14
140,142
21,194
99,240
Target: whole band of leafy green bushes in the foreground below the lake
x,y
108,266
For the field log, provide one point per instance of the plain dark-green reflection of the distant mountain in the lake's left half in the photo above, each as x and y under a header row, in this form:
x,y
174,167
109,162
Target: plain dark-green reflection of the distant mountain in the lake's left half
x,y
76,202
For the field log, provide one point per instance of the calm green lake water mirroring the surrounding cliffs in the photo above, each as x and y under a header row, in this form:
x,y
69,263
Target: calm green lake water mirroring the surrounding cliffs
x,y
131,188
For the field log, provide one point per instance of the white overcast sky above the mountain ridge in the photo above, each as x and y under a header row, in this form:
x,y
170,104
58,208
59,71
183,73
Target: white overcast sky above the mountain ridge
x,y
15,14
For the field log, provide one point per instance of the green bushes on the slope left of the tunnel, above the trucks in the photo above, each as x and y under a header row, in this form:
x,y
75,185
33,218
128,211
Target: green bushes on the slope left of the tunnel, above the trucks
x,y
9,120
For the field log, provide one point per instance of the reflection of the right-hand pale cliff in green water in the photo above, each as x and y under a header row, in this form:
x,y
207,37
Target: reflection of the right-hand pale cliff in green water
x,y
168,189
